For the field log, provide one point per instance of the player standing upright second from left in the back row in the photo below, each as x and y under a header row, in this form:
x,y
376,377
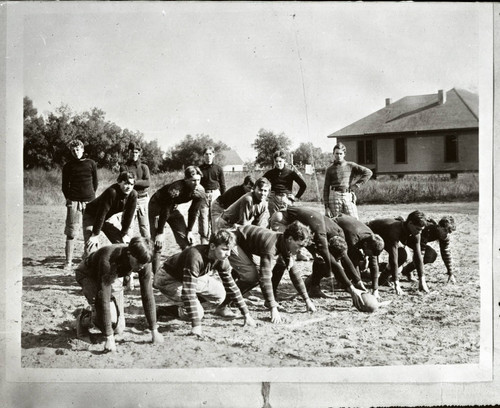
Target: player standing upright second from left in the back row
x,y
141,172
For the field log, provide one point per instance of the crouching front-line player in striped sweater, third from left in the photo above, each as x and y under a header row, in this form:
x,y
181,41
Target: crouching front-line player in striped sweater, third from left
x,y
268,245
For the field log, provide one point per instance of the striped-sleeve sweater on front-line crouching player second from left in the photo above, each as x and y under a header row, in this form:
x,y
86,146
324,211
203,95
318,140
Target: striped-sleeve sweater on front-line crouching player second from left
x,y
187,266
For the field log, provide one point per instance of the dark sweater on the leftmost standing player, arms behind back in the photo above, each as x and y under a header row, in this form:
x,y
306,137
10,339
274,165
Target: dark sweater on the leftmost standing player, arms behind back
x,y
79,180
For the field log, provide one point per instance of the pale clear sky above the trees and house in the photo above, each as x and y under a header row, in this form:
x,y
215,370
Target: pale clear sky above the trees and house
x,y
229,69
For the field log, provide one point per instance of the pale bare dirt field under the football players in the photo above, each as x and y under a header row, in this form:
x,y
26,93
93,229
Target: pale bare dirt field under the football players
x,y
438,328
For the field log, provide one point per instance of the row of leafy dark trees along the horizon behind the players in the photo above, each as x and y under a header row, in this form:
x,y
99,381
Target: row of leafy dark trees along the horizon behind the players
x,y
46,140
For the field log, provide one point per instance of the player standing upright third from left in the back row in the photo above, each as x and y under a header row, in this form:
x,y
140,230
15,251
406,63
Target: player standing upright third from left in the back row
x,y
214,184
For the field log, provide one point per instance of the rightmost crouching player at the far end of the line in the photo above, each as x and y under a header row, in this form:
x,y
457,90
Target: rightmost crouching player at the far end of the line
x,y
435,232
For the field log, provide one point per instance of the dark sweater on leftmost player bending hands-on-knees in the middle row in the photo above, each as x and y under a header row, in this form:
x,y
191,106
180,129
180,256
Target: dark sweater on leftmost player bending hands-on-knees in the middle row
x,y
110,202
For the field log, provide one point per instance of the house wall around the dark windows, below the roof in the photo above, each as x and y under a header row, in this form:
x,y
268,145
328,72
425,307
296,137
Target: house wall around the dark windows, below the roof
x,y
425,154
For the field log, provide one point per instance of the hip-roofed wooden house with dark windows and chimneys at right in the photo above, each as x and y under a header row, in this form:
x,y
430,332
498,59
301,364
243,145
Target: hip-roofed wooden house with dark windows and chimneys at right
x,y
436,133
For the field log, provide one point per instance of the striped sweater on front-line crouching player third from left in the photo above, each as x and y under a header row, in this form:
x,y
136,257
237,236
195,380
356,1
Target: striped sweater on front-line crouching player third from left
x,y
268,245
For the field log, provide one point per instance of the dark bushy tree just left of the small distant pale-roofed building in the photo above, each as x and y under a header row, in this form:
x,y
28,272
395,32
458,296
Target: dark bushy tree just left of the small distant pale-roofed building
x,y
190,152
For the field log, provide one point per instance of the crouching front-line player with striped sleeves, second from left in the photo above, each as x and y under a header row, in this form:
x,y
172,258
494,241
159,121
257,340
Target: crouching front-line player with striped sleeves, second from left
x,y
187,275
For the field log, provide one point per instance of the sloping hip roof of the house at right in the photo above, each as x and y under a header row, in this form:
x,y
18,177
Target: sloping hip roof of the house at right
x,y
419,113
